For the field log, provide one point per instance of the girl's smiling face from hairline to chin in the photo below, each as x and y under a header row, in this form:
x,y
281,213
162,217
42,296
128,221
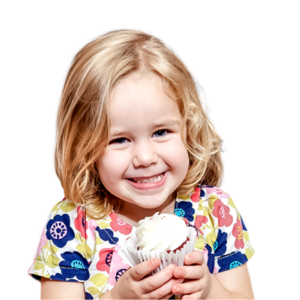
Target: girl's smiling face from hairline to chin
x,y
145,160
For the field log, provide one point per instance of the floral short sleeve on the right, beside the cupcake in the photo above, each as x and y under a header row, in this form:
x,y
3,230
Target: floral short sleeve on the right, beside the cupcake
x,y
225,233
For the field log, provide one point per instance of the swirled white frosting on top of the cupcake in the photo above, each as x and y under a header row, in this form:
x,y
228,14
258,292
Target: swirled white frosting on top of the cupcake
x,y
161,232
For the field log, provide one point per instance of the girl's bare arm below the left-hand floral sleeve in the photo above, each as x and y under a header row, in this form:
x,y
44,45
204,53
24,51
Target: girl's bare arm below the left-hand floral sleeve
x,y
53,289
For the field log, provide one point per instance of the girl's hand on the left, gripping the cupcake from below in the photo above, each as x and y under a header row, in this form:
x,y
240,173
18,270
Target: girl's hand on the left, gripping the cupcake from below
x,y
134,284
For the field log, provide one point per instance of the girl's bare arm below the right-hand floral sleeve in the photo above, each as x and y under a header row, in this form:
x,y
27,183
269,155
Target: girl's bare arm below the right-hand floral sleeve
x,y
232,284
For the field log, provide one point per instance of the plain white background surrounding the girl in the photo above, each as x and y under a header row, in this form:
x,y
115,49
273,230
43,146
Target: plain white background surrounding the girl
x,y
245,54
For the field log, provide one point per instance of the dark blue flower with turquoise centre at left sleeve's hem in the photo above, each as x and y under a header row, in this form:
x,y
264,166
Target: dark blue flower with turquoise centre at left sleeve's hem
x,y
74,264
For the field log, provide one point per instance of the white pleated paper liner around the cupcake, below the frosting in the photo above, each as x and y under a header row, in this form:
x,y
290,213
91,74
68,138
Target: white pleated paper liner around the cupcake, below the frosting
x,y
133,257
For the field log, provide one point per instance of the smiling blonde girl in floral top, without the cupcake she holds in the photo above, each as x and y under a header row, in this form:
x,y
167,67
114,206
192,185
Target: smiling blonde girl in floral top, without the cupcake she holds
x,y
132,140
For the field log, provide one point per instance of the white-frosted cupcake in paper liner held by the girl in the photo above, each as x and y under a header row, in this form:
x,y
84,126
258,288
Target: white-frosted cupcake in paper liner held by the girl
x,y
165,236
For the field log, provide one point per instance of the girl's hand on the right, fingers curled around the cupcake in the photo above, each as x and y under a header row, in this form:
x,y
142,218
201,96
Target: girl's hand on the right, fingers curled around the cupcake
x,y
197,278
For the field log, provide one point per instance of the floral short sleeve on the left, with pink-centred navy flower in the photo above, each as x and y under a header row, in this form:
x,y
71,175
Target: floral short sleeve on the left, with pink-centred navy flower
x,y
64,252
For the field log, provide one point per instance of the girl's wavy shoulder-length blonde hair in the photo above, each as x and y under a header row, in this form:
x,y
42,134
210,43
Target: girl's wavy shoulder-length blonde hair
x,y
83,122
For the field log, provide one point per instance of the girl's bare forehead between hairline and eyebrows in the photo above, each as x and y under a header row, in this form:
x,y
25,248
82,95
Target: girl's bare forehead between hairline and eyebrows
x,y
141,102
